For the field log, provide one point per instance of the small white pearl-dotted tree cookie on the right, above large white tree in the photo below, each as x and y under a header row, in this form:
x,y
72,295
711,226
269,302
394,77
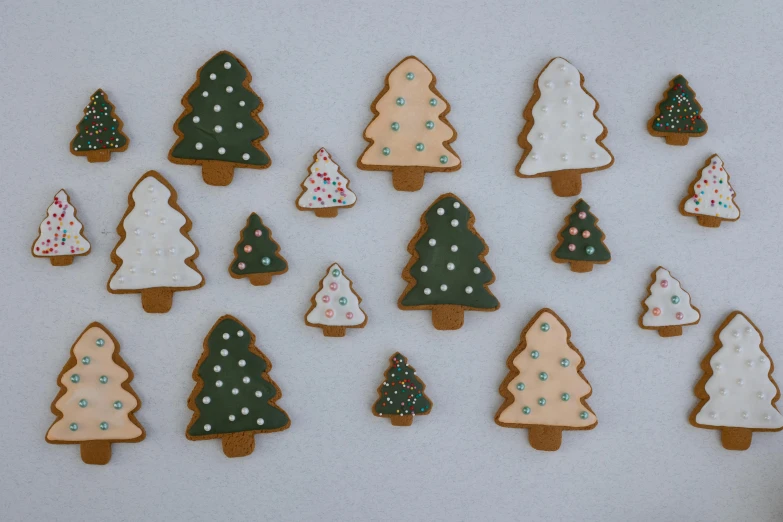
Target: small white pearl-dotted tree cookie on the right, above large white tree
x,y
667,307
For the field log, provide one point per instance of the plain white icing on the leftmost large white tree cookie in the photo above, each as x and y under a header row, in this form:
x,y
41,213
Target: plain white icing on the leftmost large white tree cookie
x,y
154,250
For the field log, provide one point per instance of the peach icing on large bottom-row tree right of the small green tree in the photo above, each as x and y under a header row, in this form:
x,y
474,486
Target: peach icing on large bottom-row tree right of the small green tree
x,y
548,390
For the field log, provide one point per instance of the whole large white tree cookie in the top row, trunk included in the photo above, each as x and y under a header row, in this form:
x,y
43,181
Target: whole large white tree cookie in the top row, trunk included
x,y
562,137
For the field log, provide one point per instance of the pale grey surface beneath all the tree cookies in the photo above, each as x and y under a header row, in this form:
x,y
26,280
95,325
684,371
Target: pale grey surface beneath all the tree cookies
x,y
317,70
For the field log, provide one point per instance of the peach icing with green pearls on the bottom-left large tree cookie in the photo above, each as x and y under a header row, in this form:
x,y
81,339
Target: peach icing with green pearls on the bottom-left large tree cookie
x,y
95,406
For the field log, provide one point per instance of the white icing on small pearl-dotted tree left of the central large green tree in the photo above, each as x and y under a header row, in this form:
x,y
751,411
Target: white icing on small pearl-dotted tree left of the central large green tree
x,y
318,315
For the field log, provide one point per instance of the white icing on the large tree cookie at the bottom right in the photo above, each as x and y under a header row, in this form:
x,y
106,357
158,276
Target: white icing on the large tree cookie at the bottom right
x,y
740,389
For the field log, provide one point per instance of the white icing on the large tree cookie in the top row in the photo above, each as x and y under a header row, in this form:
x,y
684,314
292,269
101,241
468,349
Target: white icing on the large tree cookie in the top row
x,y
565,130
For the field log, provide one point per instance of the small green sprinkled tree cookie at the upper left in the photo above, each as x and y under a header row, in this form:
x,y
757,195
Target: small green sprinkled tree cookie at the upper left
x,y
99,133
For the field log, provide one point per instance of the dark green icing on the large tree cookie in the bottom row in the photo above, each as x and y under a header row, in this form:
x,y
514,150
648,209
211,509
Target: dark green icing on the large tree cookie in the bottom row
x,y
222,402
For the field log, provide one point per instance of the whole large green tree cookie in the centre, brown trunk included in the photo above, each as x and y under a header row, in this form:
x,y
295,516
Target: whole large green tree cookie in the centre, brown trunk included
x,y
447,272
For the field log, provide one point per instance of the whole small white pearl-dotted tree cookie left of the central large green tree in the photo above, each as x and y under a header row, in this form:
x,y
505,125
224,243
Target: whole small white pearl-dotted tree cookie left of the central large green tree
x,y
335,306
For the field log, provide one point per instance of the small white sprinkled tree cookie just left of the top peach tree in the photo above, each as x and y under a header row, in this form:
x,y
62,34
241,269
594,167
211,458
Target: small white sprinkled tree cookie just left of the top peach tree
x,y
325,190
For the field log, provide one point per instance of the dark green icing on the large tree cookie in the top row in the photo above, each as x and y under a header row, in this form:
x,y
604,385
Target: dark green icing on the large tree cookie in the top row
x,y
235,141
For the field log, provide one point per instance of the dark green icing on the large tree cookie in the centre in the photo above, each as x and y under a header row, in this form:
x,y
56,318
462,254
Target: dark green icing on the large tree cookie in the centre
x,y
436,258
